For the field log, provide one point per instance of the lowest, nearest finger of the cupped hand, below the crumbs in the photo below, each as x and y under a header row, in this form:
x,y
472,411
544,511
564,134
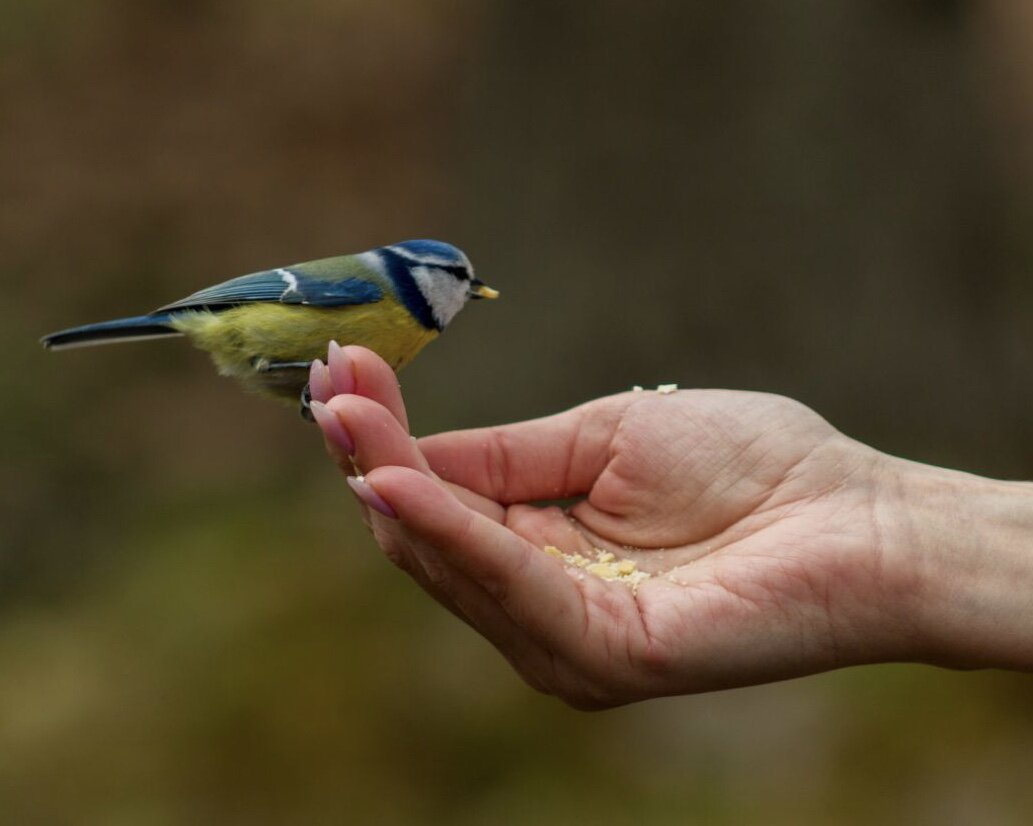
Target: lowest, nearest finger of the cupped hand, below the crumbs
x,y
530,587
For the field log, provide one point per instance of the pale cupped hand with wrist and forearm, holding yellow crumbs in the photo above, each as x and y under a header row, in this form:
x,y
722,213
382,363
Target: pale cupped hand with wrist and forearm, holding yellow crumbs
x,y
777,547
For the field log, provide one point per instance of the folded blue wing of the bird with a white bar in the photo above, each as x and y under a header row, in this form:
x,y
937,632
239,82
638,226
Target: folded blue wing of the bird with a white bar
x,y
286,285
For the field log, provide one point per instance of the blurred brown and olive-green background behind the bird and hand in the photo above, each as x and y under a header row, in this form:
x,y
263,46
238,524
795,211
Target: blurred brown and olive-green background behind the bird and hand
x,y
826,200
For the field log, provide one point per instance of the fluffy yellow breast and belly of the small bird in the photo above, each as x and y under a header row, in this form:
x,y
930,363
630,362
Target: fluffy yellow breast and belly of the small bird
x,y
242,339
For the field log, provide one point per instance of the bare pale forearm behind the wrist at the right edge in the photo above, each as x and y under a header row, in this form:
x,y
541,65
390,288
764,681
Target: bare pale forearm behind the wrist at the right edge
x,y
967,543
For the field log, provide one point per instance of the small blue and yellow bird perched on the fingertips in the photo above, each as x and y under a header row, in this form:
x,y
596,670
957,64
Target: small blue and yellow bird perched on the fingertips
x,y
266,329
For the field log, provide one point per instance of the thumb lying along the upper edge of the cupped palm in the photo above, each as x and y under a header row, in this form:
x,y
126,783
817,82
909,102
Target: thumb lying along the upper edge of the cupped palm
x,y
551,458
